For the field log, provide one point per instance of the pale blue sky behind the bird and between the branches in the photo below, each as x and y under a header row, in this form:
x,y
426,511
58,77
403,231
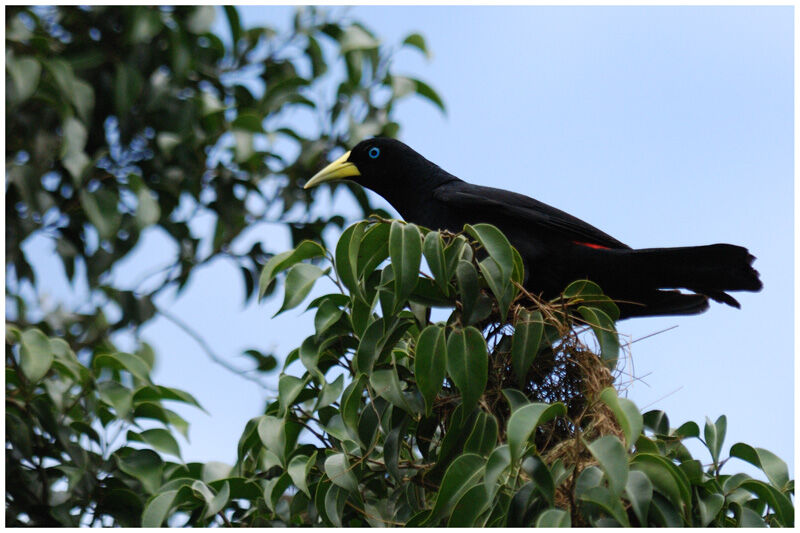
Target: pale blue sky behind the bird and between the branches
x,y
662,126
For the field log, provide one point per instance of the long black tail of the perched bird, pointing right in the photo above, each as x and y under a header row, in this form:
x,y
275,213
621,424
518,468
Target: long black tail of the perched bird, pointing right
x,y
709,270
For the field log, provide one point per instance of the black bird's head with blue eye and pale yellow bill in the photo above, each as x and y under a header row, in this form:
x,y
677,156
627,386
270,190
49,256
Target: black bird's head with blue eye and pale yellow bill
x,y
381,164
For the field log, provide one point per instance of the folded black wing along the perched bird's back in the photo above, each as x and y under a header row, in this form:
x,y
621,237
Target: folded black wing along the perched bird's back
x,y
521,210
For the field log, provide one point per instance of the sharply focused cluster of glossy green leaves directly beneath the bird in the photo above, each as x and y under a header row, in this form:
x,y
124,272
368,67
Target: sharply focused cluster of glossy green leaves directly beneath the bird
x,y
392,418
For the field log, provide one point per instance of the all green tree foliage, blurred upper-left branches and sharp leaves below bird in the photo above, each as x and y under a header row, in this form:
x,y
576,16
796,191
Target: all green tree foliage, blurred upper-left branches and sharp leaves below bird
x,y
433,390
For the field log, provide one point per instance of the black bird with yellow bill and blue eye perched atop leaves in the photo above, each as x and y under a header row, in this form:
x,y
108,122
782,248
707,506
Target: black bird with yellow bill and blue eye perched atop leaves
x,y
556,247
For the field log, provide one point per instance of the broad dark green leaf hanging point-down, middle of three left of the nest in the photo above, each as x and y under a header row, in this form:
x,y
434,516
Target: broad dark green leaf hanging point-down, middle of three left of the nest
x,y
467,365
